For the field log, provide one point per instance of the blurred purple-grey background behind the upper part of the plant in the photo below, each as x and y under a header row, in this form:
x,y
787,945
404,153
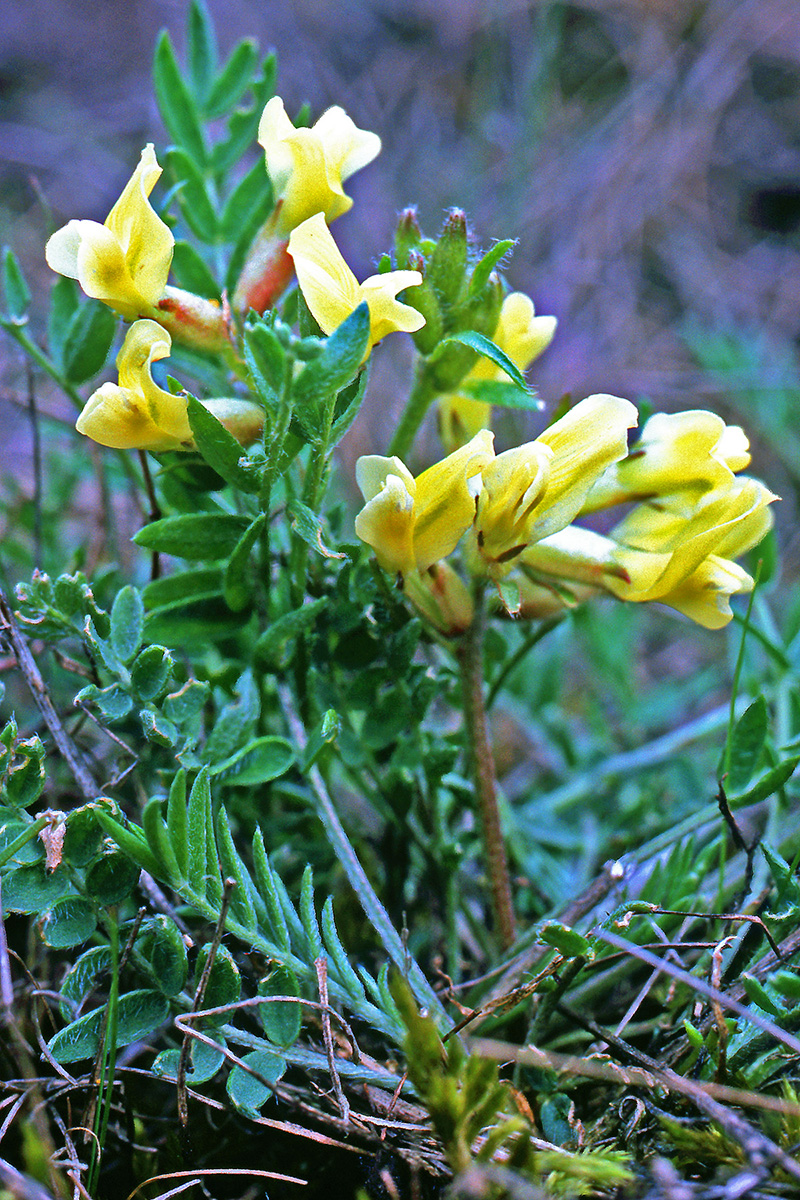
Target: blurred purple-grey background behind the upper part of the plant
x,y
646,154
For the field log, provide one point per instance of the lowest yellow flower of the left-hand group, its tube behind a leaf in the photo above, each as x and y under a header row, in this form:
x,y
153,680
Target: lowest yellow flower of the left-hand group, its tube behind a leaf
x,y
139,416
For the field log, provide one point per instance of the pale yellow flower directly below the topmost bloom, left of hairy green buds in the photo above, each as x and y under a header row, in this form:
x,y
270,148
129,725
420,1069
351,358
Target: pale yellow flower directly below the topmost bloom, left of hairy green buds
x,y
333,292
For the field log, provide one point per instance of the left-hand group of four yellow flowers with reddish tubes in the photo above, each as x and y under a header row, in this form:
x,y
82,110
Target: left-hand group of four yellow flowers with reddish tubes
x,y
125,262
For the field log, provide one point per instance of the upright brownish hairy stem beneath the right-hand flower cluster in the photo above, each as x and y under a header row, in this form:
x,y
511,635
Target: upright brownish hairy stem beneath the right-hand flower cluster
x,y
471,656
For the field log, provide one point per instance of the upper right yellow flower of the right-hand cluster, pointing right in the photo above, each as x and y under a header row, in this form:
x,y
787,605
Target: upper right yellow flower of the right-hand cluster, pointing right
x,y
679,458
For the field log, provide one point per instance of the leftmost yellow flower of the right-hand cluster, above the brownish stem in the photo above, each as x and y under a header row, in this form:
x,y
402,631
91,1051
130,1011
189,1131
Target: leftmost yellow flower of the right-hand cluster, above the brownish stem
x,y
412,524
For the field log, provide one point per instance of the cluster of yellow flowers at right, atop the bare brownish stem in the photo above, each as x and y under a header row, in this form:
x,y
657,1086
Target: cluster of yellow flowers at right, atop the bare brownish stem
x,y
693,515
